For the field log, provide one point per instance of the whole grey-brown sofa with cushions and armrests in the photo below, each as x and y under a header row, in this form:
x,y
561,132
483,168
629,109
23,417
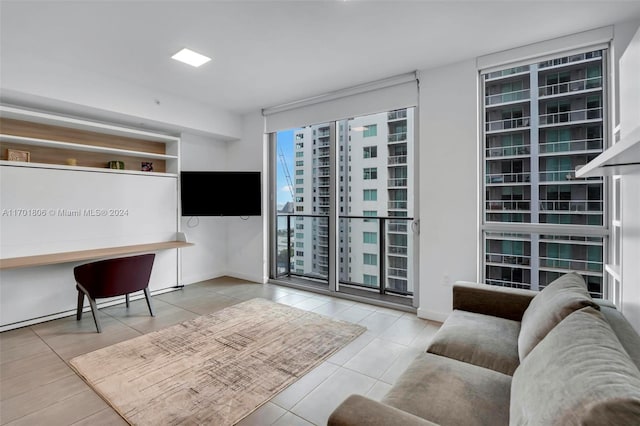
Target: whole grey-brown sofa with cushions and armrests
x,y
511,356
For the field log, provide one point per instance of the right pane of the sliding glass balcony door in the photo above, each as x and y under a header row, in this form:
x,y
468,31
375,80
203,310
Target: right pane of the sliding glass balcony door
x,y
376,204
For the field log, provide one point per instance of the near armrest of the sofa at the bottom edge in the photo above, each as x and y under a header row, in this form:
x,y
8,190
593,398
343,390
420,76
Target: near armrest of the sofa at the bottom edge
x,y
358,410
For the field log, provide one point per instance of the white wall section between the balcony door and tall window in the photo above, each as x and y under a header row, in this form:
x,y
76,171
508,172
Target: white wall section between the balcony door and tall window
x,y
448,168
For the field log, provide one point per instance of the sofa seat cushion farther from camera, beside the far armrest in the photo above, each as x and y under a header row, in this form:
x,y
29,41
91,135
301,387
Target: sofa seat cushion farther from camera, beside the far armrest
x,y
478,339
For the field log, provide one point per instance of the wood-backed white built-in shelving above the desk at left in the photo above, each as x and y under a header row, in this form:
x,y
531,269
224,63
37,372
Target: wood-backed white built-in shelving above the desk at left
x,y
77,144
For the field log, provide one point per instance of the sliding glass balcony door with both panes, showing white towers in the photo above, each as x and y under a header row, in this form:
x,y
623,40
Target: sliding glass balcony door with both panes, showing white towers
x,y
345,204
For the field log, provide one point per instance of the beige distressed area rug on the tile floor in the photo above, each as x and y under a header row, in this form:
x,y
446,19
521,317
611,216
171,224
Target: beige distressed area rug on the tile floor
x,y
215,369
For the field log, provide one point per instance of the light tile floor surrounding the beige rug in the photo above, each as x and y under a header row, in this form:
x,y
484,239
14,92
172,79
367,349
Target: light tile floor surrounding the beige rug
x,y
38,387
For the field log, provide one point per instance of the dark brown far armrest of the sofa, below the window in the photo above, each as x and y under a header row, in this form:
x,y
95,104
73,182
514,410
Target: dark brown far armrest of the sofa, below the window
x,y
503,302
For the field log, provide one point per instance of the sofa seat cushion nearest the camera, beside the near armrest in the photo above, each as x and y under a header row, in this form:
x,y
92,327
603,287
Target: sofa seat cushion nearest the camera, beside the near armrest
x,y
451,392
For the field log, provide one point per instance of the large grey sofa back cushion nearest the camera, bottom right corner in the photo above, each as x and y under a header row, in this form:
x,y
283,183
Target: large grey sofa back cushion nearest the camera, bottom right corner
x,y
578,374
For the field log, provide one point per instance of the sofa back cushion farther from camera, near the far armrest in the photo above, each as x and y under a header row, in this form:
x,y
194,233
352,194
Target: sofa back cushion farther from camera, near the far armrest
x,y
563,296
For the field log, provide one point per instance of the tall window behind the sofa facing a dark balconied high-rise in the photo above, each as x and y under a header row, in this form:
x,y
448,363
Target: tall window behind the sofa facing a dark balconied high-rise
x,y
541,121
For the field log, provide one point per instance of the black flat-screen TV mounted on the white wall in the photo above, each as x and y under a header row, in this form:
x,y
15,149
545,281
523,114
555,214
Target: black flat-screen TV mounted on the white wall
x,y
220,193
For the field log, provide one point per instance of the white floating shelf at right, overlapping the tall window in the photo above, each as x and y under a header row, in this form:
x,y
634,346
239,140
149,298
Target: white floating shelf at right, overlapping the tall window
x,y
620,159
